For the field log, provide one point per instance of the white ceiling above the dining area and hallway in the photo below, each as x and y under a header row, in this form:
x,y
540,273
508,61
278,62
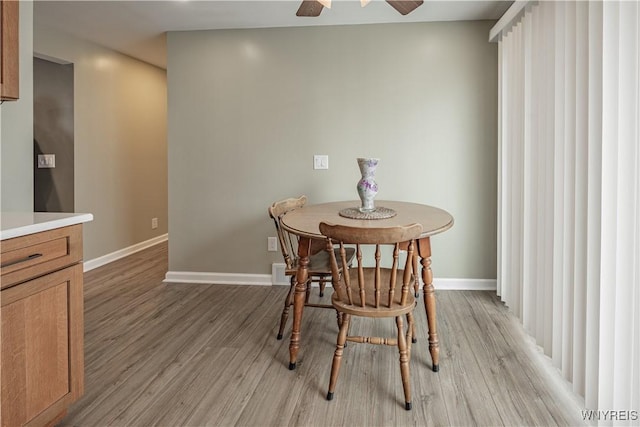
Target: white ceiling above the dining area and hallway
x,y
137,28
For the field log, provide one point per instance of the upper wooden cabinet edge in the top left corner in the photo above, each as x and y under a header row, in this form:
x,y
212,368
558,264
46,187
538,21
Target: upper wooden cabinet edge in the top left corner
x,y
9,56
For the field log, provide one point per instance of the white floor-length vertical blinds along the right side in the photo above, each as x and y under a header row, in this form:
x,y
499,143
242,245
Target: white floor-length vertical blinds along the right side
x,y
569,190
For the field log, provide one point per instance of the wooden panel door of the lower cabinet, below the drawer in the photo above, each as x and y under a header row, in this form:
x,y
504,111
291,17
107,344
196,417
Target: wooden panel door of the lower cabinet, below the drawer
x,y
42,347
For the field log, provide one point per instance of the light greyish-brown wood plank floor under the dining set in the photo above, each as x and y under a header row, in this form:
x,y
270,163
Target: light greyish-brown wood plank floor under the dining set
x,y
190,355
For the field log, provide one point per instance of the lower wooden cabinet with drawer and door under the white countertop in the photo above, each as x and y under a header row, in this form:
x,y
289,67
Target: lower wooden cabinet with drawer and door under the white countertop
x,y
42,329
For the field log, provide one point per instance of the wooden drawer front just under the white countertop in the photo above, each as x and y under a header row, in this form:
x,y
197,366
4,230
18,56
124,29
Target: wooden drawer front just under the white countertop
x,y
26,257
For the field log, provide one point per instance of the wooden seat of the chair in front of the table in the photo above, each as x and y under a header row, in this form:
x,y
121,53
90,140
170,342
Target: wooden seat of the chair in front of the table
x,y
369,309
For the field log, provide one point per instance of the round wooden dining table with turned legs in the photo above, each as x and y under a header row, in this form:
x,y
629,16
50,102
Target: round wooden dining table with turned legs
x,y
304,223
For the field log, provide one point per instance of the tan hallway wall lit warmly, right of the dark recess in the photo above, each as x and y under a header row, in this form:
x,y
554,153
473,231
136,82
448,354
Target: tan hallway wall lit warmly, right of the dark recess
x,y
120,142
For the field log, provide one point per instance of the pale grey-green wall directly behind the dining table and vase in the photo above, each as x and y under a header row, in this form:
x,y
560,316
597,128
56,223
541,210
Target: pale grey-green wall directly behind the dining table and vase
x,y
248,109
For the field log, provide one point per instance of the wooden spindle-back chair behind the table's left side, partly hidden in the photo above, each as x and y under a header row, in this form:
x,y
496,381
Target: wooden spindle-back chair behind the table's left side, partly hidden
x,y
319,267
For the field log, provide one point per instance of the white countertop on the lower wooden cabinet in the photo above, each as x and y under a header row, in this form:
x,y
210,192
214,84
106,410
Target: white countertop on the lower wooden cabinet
x,y
16,224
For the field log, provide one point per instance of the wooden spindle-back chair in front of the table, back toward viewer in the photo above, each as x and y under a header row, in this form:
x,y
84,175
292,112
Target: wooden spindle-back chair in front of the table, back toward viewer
x,y
374,291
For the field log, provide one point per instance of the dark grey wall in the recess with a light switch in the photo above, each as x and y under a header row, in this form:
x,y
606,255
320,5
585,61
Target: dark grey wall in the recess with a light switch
x,y
53,134
